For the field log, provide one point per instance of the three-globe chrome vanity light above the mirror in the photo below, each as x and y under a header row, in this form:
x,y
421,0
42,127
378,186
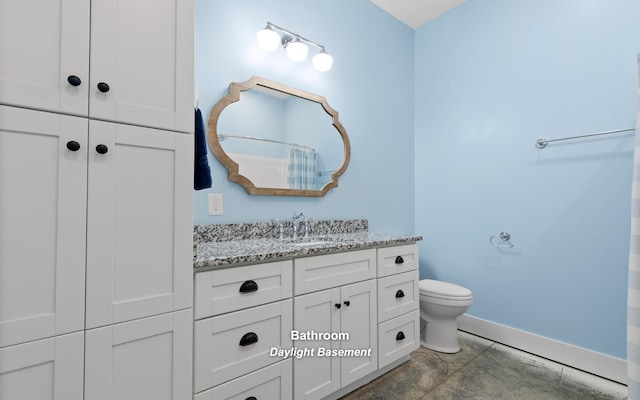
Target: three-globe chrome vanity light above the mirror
x,y
294,44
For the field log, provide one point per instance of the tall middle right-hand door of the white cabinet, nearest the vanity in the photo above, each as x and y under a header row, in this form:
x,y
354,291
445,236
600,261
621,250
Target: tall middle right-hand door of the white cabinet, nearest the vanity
x,y
139,223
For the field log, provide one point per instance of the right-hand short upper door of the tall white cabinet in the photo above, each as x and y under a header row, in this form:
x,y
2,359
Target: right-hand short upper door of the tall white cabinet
x,y
144,52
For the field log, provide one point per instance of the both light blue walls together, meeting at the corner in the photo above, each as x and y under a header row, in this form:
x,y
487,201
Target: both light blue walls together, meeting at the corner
x,y
491,77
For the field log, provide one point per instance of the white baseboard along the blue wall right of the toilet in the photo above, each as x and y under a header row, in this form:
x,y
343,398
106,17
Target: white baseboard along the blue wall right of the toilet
x,y
609,367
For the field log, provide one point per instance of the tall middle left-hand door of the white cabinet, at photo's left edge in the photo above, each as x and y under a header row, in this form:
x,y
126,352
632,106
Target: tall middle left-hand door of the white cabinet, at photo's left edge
x,y
42,224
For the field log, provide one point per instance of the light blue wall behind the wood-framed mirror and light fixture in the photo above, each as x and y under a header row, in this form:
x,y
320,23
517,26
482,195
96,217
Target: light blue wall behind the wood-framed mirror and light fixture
x,y
370,84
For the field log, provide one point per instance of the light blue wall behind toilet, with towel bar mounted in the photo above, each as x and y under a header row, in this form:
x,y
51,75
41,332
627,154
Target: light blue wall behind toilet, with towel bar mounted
x,y
493,76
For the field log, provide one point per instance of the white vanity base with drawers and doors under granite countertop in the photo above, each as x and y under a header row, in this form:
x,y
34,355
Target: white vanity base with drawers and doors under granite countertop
x,y
349,317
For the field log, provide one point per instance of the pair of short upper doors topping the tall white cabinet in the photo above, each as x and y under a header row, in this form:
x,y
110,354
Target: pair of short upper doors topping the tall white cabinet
x,y
115,60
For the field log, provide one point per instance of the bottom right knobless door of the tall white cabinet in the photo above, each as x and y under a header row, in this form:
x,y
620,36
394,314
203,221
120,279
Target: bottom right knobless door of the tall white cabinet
x,y
148,358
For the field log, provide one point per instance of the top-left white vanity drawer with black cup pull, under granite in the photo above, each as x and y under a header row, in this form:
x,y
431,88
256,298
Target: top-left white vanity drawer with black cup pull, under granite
x,y
225,290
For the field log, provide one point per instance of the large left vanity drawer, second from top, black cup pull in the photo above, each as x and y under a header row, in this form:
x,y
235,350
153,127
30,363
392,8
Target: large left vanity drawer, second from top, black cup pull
x,y
234,344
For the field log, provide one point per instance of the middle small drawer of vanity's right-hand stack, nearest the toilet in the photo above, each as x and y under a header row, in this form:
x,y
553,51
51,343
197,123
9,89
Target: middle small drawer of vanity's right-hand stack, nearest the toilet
x,y
398,294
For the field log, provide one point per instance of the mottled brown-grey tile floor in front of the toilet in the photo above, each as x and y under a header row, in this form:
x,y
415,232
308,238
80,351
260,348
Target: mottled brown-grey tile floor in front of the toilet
x,y
488,371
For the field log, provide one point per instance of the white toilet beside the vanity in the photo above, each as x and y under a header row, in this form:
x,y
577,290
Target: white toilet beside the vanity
x,y
441,303
